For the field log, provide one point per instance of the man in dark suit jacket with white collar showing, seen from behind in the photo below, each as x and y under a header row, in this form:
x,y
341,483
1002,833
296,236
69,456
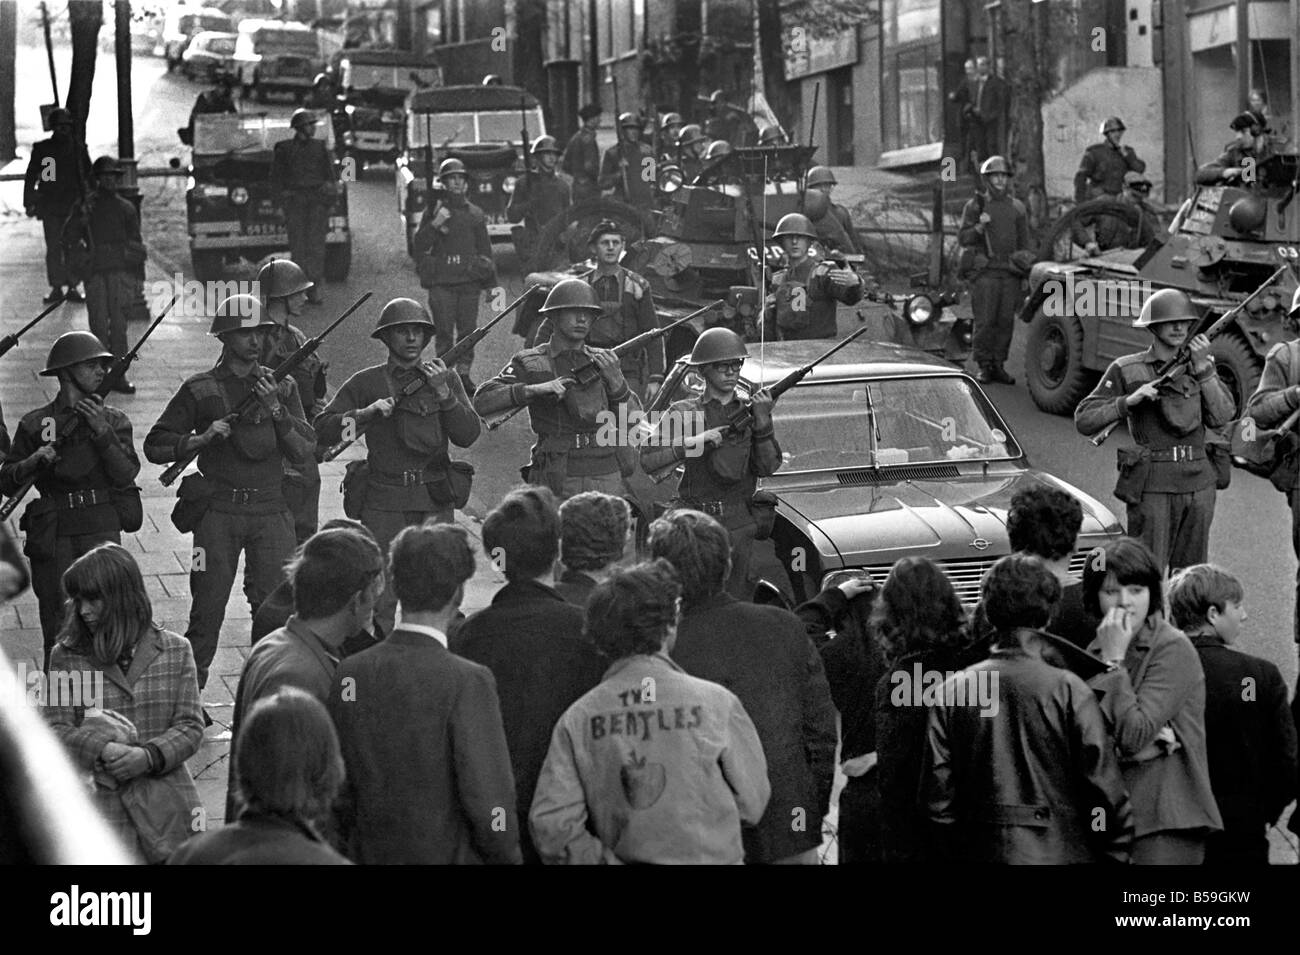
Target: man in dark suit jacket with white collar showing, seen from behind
x,y
428,767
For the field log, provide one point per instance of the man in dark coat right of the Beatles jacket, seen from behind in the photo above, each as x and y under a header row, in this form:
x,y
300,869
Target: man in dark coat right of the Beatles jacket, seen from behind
x,y
764,656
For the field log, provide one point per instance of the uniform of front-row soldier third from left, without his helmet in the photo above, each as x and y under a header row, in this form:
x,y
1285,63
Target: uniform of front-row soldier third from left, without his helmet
x,y
408,480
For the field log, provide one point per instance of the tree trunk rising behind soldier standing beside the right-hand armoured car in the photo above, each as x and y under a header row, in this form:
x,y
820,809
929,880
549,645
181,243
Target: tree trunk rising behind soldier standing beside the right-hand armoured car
x,y
1025,46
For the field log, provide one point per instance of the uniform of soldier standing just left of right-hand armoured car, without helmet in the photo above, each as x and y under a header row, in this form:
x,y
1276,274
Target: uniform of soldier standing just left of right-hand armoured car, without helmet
x,y
995,281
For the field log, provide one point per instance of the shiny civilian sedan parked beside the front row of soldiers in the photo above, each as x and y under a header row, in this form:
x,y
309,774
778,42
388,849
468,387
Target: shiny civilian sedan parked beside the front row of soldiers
x,y
889,453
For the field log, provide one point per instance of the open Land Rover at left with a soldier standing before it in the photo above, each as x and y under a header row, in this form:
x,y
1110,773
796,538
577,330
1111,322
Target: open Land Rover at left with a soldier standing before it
x,y
229,209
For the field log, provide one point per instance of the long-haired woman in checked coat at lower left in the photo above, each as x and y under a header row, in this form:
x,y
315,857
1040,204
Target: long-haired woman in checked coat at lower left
x,y
141,719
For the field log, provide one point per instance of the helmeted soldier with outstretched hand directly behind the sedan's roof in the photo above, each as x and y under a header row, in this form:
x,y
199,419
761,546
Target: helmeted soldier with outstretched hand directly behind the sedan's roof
x,y
805,294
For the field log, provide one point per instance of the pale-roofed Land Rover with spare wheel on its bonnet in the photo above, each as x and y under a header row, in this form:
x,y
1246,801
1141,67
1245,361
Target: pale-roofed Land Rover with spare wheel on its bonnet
x,y
479,125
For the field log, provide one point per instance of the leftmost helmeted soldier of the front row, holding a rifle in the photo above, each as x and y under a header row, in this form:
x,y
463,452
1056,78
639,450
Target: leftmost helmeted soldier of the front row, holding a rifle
x,y
83,483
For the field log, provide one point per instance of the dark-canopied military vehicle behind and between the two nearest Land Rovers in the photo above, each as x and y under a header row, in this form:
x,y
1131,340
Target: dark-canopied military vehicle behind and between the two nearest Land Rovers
x,y
371,112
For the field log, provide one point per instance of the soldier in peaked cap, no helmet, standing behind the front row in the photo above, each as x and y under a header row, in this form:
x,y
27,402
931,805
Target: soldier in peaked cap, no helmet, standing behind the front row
x,y
627,310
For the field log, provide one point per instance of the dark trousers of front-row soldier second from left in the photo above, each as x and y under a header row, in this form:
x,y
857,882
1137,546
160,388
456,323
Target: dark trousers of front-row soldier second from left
x,y
267,542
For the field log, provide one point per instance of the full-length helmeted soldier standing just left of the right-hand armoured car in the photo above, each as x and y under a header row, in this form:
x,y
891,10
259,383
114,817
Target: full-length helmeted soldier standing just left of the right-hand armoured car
x,y
995,240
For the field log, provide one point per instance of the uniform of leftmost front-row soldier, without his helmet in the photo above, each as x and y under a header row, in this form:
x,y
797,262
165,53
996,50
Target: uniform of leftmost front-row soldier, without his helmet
x,y
76,511
